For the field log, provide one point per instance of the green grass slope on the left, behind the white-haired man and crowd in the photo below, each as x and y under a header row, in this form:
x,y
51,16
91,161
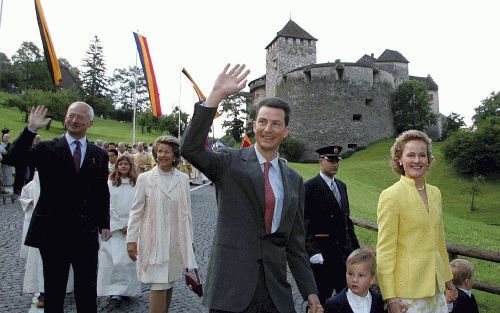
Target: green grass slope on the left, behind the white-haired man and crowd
x,y
106,130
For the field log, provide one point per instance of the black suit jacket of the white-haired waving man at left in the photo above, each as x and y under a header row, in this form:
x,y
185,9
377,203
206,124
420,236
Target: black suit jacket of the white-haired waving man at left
x,y
72,206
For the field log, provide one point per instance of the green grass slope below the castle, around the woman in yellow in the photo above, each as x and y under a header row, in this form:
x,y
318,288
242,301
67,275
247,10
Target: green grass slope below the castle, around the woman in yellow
x,y
367,173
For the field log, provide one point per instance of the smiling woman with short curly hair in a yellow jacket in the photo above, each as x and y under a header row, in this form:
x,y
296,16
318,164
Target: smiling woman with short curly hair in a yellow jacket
x,y
413,268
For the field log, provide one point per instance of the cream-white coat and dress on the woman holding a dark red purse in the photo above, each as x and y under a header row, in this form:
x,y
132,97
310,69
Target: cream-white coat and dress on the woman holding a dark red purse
x,y
160,224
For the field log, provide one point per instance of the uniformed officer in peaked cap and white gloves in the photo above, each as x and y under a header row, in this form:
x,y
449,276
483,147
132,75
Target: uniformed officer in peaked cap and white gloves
x,y
330,236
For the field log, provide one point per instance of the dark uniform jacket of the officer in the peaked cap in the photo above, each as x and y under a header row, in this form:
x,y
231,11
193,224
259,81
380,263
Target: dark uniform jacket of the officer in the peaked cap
x,y
323,215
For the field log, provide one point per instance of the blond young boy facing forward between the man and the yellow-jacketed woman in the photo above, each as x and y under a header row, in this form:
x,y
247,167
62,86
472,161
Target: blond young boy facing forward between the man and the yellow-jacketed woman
x,y
356,297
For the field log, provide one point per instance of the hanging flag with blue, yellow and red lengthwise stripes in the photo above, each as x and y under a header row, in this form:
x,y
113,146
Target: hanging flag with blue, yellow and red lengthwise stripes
x,y
149,73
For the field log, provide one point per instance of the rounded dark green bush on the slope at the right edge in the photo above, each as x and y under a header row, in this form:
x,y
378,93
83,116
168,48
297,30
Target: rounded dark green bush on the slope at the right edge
x,y
475,152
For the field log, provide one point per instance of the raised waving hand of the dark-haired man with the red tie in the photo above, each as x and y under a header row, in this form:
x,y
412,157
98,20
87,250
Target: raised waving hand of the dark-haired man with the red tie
x,y
227,83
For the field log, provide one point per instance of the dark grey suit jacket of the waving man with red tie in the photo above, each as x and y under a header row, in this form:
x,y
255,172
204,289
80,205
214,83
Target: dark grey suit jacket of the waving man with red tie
x,y
240,245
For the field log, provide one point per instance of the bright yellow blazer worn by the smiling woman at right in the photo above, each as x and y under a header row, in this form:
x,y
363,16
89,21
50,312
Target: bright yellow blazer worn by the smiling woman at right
x,y
411,251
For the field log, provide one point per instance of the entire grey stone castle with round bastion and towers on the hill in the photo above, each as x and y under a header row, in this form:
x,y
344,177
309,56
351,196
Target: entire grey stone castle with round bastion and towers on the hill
x,y
341,103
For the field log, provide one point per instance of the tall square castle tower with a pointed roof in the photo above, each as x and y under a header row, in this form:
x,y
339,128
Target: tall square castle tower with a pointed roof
x,y
291,48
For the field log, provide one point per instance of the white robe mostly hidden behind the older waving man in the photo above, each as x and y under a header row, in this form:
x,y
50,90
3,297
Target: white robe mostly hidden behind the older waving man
x,y
33,275
